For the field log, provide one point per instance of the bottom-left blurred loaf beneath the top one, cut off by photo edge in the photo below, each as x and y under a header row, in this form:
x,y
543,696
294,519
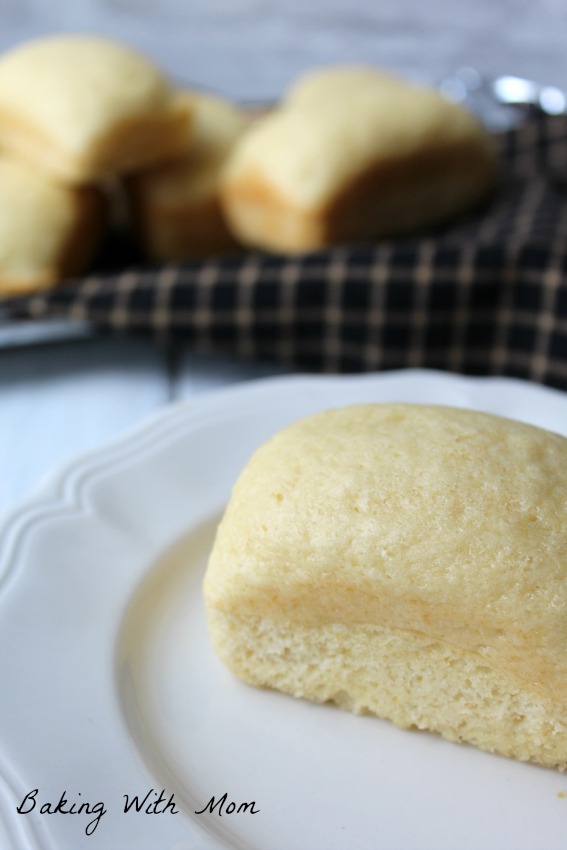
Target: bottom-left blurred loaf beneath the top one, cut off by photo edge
x,y
48,231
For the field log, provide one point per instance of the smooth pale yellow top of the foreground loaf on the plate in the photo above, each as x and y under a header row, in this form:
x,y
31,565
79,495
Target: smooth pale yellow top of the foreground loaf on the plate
x,y
447,522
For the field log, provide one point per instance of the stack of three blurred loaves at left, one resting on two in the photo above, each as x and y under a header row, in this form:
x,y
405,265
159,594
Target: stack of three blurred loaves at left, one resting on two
x,y
77,115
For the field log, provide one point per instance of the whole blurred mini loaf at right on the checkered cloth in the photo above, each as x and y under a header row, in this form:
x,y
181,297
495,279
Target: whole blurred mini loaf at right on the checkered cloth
x,y
353,155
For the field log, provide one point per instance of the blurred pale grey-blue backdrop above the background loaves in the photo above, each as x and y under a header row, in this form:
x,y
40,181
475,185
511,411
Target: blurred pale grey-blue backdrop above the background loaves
x,y
252,48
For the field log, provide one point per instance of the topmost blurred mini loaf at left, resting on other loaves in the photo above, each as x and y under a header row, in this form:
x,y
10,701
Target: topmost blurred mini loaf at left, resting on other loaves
x,y
82,108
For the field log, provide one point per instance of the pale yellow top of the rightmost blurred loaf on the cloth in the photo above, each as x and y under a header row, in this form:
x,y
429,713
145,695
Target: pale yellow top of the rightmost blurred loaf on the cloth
x,y
338,123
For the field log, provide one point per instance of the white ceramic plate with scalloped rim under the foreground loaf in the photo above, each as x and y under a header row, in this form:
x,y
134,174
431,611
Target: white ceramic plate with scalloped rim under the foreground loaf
x,y
109,686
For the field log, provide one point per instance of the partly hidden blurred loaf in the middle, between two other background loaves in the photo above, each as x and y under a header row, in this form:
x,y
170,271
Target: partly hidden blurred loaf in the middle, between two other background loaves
x,y
175,205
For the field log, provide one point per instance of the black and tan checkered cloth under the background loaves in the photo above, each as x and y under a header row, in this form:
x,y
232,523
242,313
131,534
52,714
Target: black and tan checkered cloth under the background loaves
x,y
485,296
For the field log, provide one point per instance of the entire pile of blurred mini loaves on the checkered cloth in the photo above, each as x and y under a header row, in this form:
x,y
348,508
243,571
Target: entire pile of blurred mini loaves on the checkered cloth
x,y
349,155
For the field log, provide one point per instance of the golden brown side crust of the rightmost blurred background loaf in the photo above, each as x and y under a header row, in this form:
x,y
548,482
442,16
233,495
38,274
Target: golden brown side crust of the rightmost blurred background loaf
x,y
391,198
